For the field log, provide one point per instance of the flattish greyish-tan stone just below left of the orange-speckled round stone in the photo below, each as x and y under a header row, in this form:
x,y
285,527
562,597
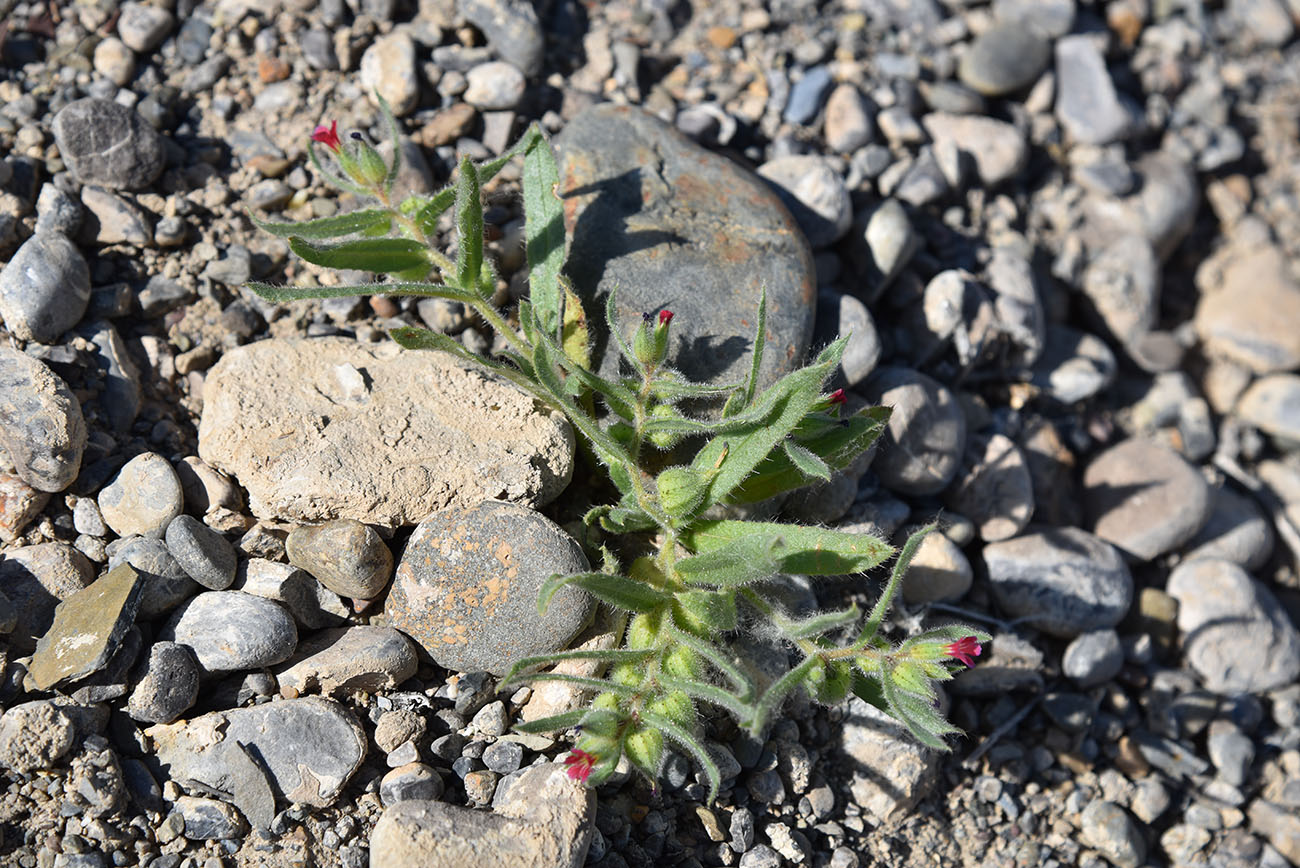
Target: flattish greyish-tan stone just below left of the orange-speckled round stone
x,y
349,661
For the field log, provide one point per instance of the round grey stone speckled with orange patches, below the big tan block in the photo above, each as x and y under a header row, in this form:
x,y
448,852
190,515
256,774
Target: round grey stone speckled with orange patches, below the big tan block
x,y
466,588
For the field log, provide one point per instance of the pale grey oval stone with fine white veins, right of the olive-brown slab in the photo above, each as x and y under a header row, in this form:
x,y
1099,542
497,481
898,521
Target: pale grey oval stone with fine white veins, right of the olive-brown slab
x,y
229,631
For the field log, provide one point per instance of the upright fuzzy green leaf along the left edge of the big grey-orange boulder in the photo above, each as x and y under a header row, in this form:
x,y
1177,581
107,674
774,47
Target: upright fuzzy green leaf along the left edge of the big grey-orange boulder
x,y
544,232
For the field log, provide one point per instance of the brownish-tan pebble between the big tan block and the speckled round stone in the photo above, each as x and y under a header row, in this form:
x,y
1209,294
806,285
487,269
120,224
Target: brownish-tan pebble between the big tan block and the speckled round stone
x,y
345,555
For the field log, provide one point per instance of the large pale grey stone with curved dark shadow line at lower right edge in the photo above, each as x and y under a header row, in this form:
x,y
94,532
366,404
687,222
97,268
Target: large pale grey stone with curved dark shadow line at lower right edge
x,y
1236,635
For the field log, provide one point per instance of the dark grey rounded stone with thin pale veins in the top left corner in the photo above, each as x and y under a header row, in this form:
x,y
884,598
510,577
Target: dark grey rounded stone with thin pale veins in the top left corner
x,y
109,145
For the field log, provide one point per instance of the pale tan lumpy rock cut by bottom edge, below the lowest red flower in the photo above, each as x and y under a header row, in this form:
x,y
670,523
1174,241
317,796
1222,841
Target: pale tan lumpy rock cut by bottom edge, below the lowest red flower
x,y
547,821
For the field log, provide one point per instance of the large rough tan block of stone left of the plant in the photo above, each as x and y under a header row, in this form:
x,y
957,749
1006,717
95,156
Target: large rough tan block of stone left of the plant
x,y
297,423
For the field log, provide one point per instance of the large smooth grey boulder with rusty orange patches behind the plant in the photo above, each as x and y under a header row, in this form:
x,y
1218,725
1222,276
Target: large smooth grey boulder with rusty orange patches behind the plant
x,y
653,214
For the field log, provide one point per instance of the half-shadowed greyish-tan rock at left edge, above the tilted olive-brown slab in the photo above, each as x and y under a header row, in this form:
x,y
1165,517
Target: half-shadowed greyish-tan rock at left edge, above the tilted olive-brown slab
x,y
36,579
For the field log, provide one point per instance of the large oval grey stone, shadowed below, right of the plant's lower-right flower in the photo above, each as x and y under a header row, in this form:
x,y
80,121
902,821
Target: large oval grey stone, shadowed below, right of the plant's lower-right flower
x,y
1061,580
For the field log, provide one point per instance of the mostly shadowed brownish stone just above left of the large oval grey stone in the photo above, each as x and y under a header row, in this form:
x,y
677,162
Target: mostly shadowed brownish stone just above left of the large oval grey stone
x,y
994,488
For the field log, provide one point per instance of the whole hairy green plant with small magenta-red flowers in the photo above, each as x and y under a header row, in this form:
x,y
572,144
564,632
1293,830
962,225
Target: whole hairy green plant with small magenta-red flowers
x,y
695,579
